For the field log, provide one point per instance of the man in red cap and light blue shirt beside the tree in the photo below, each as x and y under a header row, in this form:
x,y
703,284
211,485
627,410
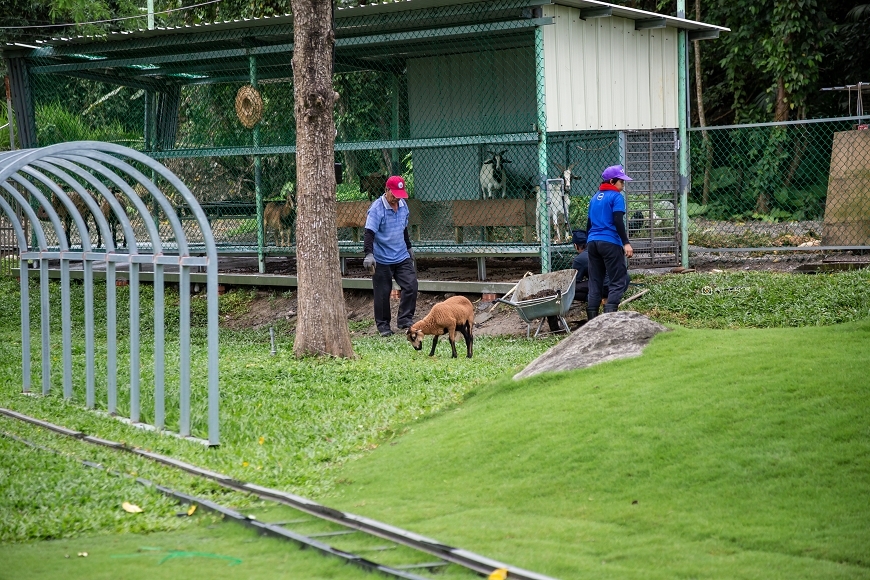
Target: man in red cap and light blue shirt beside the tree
x,y
389,256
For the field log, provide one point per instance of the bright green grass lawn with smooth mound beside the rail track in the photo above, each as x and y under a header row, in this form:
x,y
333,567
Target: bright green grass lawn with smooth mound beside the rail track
x,y
746,450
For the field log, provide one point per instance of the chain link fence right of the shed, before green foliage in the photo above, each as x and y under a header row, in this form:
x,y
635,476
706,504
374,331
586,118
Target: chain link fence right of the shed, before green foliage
x,y
797,185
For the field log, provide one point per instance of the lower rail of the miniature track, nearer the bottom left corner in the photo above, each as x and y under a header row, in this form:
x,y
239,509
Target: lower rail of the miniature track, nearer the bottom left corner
x,y
266,528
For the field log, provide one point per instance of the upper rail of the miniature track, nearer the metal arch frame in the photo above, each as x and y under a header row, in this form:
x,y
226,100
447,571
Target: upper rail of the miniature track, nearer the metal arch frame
x,y
470,560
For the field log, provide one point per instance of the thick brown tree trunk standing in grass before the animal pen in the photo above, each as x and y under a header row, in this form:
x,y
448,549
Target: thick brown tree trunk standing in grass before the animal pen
x,y
321,327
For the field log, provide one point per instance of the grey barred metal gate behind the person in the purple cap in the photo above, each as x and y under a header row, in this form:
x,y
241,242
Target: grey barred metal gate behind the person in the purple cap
x,y
652,197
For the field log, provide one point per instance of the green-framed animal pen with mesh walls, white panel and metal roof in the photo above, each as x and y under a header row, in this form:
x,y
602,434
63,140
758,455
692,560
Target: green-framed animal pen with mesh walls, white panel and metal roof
x,y
500,114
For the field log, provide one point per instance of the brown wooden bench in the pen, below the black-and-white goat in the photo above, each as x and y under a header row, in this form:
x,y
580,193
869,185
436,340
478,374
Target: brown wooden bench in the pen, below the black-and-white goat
x,y
489,213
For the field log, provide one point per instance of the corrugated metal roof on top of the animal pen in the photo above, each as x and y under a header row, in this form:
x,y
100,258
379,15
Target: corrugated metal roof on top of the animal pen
x,y
368,9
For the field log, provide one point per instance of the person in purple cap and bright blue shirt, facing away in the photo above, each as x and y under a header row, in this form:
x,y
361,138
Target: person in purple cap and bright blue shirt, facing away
x,y
607,242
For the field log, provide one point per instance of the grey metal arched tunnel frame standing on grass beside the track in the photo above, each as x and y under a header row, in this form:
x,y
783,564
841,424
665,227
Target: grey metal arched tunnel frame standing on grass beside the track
x,y
69,186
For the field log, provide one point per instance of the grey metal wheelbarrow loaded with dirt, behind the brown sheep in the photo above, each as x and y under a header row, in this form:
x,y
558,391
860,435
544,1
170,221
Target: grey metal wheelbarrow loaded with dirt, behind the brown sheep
x,y
543,295
